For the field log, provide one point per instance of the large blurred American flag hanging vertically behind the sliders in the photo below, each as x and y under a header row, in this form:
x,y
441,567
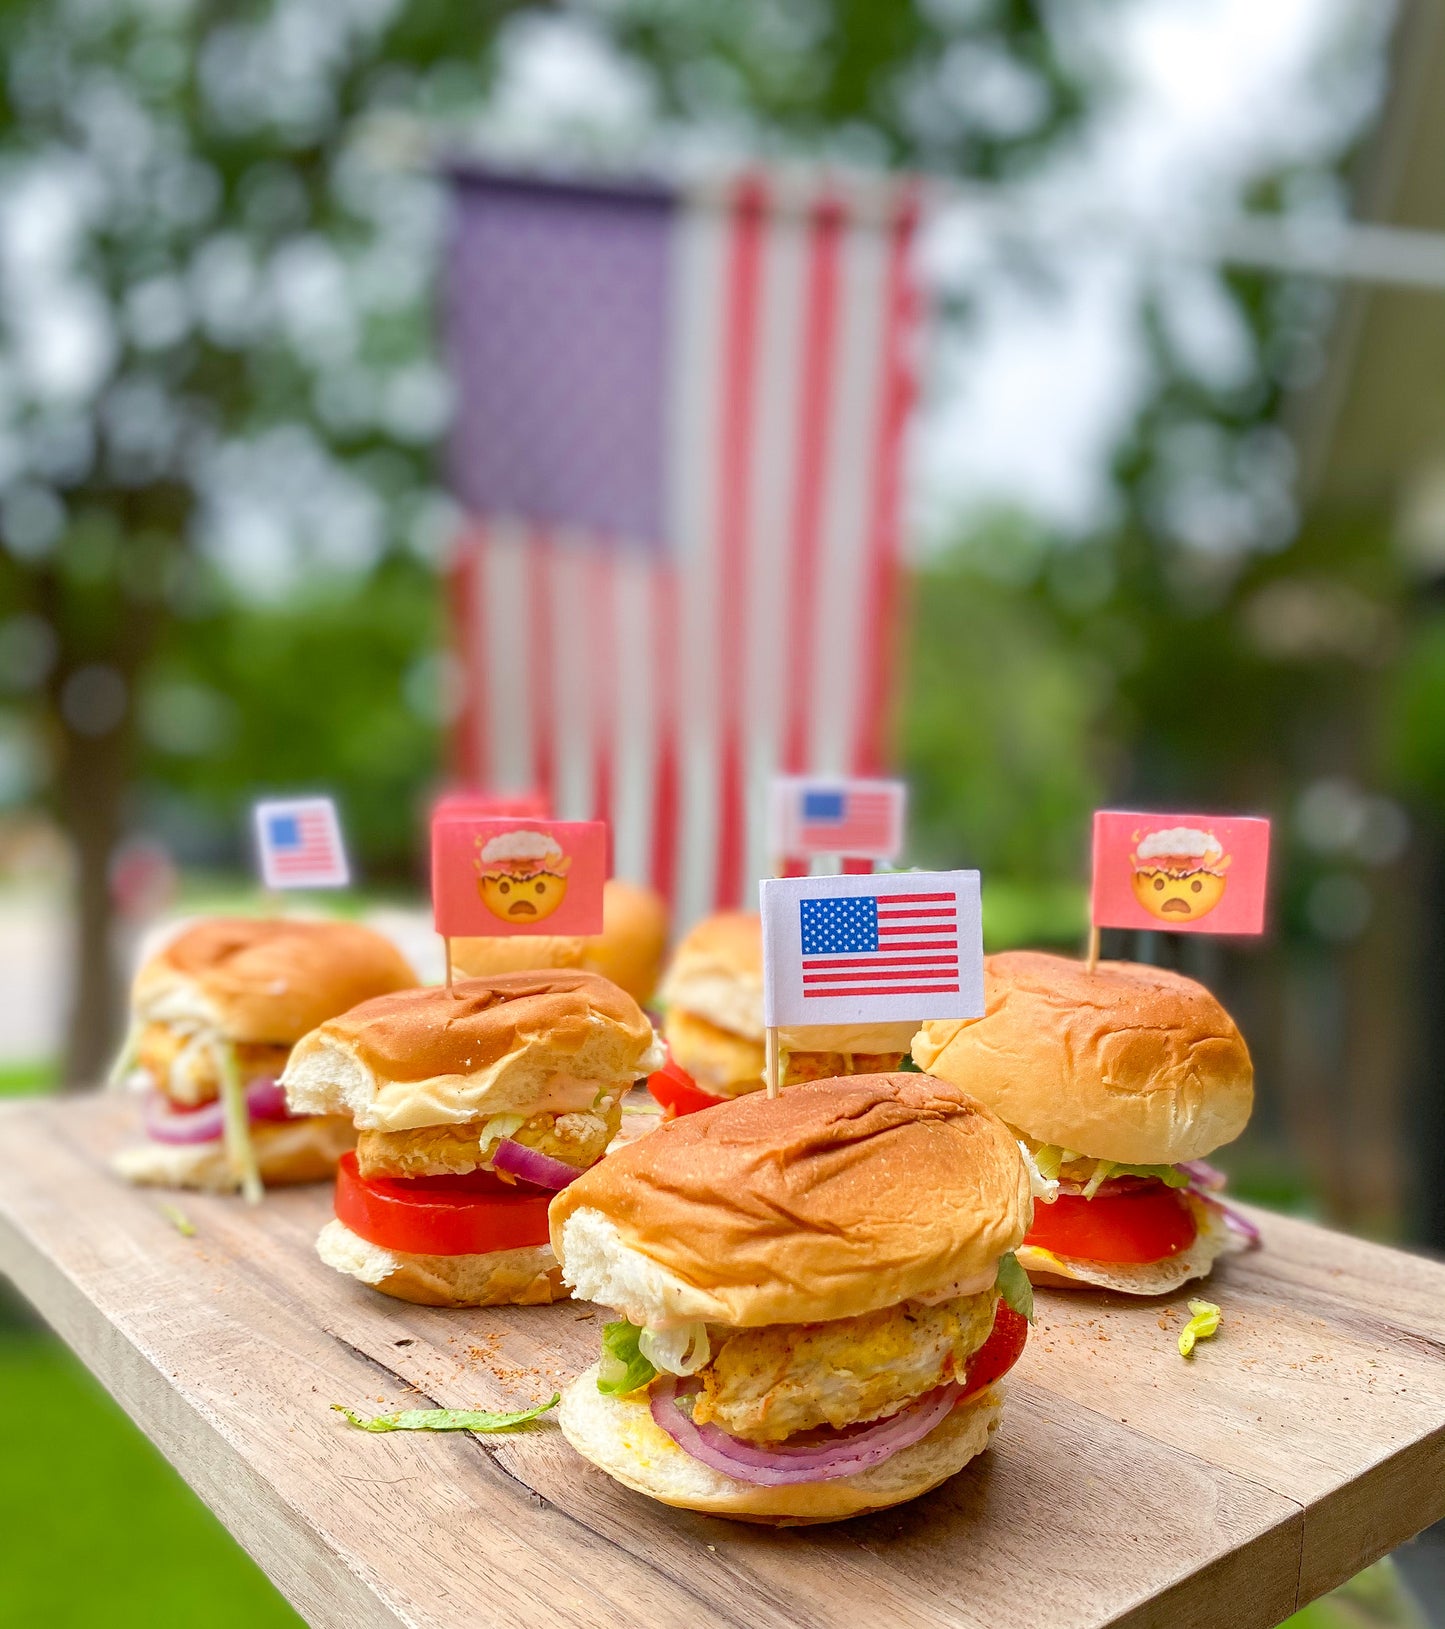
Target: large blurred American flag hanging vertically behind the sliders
x,y
679,442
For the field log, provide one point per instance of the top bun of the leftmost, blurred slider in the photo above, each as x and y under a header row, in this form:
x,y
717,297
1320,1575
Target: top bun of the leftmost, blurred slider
x,y
268,980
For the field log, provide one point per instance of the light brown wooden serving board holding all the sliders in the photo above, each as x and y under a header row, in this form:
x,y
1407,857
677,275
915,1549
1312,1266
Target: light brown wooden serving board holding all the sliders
x,y
1127,1485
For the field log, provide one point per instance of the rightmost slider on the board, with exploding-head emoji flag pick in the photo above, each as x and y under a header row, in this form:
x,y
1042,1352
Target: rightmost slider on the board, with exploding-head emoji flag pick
x,y
1118,1082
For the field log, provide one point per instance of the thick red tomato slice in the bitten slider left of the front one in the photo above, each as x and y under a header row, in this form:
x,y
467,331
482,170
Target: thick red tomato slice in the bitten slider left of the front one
x,y
441,1216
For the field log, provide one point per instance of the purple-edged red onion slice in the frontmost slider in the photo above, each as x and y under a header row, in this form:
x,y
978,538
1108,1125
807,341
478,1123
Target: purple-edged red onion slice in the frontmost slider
x,y
845,1454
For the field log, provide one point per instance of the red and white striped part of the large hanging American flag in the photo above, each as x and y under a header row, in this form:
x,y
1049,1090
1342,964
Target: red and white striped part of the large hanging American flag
x,y
662,690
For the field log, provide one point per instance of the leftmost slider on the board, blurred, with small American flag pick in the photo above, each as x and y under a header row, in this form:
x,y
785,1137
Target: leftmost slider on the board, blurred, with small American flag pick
x,y
214,1019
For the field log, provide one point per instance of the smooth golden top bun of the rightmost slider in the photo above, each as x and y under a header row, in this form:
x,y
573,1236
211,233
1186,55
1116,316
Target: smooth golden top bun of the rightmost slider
x,y
1127,1063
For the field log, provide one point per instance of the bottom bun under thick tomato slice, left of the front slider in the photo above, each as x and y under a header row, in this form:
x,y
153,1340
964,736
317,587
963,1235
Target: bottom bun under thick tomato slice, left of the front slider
x,y
503,1278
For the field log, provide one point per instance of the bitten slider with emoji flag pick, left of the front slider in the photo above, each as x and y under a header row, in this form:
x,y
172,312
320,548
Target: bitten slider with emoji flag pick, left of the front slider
x,y
473,1107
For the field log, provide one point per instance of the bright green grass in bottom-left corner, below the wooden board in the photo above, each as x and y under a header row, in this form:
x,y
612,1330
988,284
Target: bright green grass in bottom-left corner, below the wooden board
x,y
99,1529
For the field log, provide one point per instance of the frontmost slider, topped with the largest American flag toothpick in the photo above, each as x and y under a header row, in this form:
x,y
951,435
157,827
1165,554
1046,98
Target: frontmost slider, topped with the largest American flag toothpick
x,y
812,1296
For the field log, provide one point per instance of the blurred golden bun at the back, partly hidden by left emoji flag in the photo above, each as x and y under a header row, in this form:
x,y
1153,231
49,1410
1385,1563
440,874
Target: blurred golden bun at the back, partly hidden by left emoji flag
x,y
630,951
